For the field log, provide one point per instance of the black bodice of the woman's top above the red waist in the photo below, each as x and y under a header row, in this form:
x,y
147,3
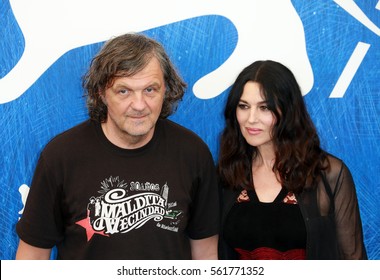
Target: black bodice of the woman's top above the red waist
x,y
254,224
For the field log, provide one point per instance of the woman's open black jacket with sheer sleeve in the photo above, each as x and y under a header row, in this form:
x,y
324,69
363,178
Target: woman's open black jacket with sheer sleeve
x,y
330,212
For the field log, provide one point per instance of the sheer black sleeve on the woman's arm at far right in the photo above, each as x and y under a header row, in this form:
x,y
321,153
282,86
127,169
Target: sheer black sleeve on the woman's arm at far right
x,y
347,214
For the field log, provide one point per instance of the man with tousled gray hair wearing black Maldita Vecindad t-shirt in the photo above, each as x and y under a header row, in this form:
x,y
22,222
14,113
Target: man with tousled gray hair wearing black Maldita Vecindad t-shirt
x,y
128,183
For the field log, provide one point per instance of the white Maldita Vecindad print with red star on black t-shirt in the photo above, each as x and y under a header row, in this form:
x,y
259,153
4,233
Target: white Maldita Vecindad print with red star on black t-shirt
x,y
123,207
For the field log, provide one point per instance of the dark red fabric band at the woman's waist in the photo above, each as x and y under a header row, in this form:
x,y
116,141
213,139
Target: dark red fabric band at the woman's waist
x,y
265,253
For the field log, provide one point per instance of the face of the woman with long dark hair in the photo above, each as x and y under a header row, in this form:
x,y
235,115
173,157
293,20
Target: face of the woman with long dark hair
x,y
255,119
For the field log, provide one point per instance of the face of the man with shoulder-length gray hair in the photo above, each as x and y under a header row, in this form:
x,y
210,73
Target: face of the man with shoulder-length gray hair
x,y
134,104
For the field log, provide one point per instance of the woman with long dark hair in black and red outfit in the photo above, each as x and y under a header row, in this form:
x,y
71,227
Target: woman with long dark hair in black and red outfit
x,y
284,197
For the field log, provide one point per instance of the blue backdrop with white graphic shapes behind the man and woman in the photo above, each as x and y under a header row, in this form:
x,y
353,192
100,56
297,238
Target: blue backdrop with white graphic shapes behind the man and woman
x,y
41,70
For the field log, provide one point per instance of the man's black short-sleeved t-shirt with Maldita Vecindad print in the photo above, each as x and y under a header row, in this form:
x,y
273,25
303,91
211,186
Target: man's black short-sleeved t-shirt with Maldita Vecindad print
x,y
94,200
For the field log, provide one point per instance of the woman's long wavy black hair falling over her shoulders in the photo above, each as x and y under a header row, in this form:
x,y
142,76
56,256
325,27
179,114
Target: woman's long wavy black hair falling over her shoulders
x,y
298,156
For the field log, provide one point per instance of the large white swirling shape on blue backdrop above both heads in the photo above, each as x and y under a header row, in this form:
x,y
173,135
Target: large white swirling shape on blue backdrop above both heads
x,y
51,28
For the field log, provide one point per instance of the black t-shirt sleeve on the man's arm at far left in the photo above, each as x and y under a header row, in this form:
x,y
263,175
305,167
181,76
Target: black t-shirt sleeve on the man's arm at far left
x,y
40,223
